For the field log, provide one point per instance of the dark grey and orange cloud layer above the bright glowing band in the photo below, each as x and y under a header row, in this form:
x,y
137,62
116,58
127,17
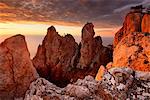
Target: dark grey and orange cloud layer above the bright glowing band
x,y
104,13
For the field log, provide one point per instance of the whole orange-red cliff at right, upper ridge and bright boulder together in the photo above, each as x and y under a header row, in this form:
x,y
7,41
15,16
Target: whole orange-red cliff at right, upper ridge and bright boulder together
x,y
132,42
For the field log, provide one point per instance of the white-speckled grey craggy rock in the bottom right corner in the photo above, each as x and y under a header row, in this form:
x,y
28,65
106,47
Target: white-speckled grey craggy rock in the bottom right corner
x,y
127,84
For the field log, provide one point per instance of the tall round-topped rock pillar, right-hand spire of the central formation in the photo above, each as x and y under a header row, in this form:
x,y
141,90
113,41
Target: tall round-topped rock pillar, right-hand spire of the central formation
x,y
88,46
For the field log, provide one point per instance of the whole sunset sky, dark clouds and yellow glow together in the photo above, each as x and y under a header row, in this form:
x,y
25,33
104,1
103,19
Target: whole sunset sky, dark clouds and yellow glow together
x,y
33,17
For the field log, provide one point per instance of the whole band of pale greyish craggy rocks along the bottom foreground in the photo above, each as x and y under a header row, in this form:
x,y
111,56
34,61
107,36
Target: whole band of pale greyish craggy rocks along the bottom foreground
x,y
117,83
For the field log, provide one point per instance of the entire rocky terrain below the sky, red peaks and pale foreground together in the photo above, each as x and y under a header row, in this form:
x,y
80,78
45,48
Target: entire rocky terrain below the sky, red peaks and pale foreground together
x,y
58,70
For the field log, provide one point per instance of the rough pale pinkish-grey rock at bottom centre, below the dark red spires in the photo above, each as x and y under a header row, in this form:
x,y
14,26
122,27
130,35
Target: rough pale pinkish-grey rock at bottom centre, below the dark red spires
x,y
87,89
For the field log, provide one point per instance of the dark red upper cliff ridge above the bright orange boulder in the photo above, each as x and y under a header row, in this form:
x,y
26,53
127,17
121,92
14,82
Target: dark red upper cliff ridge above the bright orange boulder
x,y
134,22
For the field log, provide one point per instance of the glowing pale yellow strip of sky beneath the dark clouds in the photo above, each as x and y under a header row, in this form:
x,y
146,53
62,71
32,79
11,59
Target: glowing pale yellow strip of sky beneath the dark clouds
x,y
33,28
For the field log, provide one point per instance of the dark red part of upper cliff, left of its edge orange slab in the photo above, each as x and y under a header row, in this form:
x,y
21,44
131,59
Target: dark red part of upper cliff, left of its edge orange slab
x,y
132,23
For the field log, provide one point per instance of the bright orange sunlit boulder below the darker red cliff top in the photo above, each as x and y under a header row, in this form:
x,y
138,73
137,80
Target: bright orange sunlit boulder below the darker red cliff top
x,y
133,51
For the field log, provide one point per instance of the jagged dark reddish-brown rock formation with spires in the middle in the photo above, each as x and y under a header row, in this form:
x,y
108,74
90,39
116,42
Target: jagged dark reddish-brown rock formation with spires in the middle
x,y
61,60
